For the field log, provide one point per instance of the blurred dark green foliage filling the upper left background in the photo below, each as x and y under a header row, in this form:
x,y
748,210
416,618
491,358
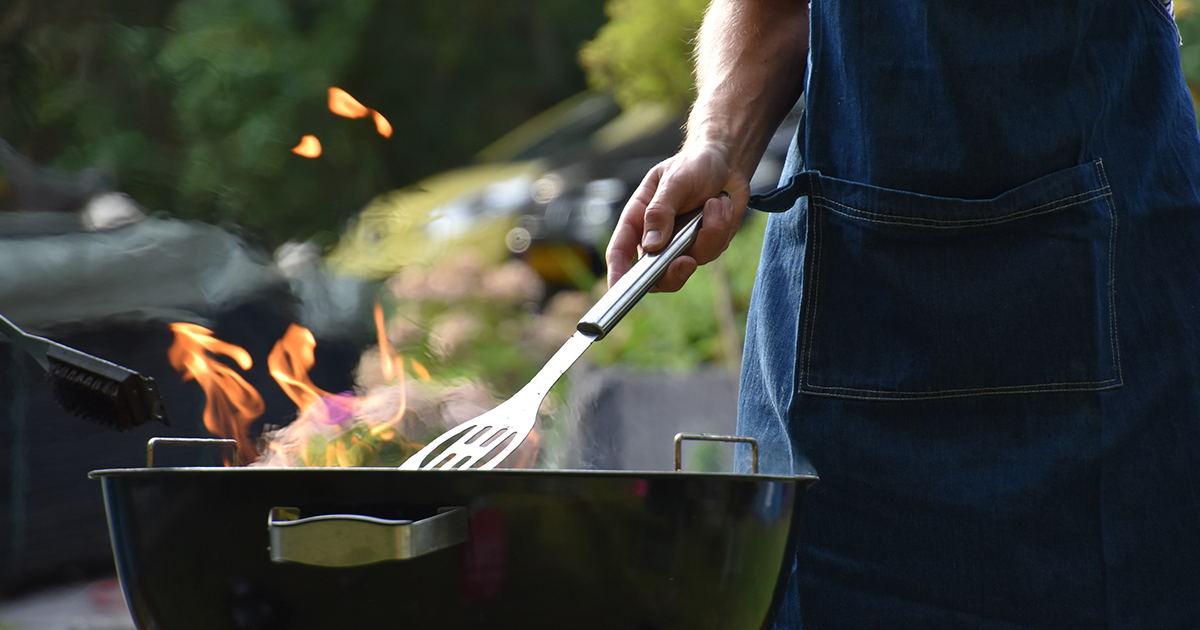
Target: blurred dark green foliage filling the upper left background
x,y
194,106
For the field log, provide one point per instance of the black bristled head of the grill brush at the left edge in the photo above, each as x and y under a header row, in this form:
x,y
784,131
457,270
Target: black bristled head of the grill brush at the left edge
x,y
101,399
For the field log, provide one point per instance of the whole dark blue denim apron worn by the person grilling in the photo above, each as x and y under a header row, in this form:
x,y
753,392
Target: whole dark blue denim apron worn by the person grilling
x,y
979,320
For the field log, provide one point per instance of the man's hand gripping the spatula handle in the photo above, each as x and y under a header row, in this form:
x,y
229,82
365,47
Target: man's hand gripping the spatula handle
x,y
679,185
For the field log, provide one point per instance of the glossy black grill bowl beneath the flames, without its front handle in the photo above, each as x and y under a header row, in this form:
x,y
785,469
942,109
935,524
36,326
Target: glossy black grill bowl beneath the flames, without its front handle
x,y
545,549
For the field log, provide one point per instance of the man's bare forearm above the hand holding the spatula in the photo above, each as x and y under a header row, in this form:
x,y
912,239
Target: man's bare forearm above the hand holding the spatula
x,y
751,63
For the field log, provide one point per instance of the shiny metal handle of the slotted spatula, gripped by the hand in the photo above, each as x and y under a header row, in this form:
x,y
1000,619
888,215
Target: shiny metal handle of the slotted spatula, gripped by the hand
x,y
639,281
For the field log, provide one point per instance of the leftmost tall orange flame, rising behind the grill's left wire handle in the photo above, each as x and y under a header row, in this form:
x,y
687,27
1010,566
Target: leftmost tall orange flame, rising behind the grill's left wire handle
x,y
232,404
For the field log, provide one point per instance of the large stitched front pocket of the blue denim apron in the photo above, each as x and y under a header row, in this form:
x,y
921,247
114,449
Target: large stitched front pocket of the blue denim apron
x,y
913,297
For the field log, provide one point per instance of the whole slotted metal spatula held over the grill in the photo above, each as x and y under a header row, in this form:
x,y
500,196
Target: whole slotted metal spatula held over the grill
x,y
488,440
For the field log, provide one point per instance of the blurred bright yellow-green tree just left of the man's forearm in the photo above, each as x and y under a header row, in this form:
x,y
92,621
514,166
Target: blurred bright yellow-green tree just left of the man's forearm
x,y
644,53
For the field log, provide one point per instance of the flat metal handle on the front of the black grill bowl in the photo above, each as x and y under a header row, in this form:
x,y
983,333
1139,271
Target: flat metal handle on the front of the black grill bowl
x,y
355,541
